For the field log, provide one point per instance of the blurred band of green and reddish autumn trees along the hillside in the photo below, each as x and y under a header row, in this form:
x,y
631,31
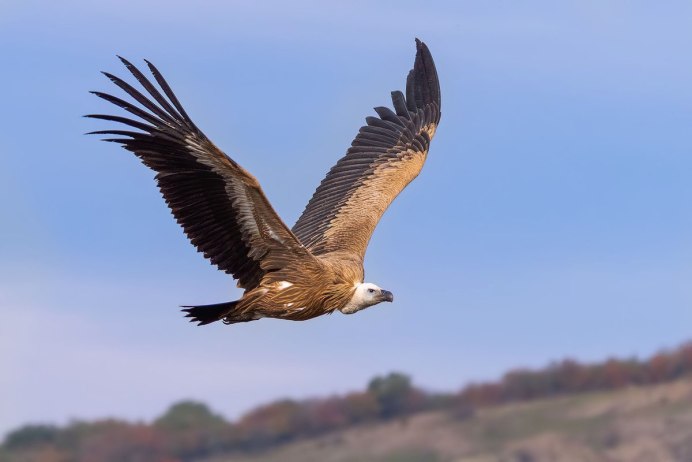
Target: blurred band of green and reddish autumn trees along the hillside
x,y
189,430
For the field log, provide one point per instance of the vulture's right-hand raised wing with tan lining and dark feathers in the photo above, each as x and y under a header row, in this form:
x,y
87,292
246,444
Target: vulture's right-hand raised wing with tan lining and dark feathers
x,y
386,155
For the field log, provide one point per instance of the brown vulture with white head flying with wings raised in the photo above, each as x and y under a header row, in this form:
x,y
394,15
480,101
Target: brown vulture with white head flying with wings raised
x,y
297,273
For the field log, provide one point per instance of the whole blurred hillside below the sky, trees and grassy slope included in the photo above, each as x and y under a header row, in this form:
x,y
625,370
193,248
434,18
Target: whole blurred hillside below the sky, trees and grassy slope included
x,y
616,410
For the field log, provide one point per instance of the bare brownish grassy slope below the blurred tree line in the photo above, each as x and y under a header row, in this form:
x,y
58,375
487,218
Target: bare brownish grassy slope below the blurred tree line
x,y
635,424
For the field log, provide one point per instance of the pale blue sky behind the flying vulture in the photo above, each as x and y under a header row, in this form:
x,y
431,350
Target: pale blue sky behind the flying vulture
x,y
552,218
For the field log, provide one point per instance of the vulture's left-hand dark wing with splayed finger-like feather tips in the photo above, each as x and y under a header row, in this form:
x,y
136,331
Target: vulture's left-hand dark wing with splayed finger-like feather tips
x,y
220,206
